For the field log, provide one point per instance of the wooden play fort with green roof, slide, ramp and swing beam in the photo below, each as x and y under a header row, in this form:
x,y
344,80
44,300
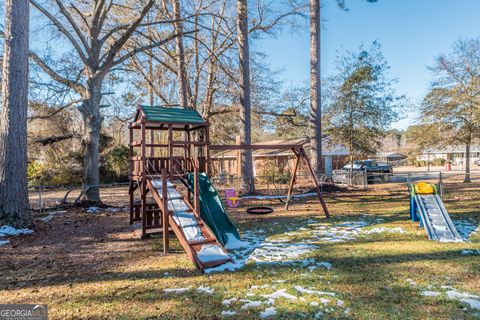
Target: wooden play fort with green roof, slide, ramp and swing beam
x,y
170,188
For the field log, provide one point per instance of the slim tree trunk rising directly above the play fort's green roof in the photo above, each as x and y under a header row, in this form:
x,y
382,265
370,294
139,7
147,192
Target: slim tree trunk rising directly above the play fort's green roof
x,y
181,68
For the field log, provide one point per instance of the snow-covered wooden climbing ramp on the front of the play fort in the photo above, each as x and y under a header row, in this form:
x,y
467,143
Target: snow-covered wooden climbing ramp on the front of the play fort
x,y
196,238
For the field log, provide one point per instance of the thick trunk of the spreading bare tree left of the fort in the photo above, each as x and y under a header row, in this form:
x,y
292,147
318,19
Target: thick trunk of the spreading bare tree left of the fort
x,y
92,123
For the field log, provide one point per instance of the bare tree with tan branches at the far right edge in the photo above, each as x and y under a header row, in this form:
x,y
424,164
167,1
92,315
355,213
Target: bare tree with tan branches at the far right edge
x,y
451,108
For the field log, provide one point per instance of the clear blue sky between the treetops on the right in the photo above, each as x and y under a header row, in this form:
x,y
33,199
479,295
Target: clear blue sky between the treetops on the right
x,y
412,33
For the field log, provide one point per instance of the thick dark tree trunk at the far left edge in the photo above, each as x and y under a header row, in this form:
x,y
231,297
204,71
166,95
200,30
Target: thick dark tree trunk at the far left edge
x,y
13,122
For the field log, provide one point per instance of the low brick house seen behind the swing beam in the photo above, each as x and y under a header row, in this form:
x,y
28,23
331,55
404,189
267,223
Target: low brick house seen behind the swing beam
x,y
226,161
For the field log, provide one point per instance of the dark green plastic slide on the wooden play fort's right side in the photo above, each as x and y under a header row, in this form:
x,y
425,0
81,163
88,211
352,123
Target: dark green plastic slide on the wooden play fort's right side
x,y
212,210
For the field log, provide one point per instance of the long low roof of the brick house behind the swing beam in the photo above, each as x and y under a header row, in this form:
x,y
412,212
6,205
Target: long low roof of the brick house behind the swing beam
x,y
326,149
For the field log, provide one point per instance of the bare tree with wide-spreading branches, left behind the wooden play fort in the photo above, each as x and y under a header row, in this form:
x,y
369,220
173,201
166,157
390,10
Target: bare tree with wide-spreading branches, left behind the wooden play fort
x,y
100,33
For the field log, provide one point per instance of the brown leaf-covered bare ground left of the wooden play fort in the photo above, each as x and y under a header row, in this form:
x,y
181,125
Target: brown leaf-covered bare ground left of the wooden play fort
x,y
73,246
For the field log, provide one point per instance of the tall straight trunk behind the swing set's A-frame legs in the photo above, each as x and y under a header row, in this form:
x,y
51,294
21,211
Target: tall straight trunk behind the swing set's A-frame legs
x,y
315,89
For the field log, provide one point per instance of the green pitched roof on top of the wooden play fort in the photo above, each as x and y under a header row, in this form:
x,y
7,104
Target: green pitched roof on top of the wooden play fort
x,y
171,115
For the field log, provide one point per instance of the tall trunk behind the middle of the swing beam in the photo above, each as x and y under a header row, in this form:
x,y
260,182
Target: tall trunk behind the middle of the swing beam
x,y
246,161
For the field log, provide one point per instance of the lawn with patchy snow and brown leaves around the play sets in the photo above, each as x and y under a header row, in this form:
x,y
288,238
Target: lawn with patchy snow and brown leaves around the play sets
x,y
367,262
